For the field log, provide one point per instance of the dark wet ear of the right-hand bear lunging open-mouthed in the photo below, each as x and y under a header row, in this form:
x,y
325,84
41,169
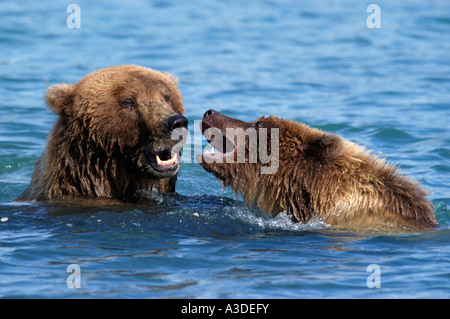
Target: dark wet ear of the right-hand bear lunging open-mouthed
x,y
326,147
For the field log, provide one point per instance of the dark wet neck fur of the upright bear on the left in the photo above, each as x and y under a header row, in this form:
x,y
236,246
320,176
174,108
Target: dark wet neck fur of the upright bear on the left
x,y
81,166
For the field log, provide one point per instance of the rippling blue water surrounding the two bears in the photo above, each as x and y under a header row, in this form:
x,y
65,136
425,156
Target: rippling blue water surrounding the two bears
x,y
317,62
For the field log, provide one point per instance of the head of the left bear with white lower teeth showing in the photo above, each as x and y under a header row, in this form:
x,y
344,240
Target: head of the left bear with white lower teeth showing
x,y
128,110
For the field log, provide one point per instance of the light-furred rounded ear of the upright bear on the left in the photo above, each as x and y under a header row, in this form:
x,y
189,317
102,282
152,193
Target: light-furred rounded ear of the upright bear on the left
x,y
60,96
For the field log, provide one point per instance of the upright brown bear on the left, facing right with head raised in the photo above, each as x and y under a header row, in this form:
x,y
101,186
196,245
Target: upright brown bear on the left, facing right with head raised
x,y
112,138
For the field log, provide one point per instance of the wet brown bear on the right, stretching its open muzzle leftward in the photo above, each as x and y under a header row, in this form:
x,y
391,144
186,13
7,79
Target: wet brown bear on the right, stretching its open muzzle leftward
x,y
315,174
